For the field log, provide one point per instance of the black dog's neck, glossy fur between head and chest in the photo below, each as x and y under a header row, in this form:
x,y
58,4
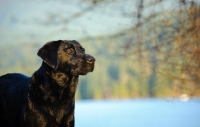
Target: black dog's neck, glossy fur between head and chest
x,y
55,85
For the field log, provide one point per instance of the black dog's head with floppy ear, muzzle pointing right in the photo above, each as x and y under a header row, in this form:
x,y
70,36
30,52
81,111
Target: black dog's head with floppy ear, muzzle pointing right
x,y
67,56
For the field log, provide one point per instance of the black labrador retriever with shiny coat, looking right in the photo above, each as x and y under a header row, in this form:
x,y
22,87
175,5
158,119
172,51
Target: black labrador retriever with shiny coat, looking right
x,y
46,99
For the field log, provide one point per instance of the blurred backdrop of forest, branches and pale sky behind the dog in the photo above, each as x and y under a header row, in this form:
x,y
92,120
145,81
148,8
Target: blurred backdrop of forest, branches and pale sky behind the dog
x,y
143,48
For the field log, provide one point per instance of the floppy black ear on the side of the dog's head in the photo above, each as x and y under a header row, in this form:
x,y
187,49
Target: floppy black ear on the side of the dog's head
x,y
49,53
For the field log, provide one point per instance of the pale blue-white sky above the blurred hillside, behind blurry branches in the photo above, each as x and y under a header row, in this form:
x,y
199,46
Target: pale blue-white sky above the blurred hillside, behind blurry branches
x,y
27,20
